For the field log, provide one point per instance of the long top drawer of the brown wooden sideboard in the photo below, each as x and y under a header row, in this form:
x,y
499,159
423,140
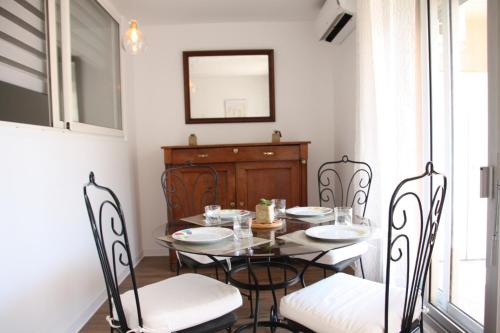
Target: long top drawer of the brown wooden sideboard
x,y
236,154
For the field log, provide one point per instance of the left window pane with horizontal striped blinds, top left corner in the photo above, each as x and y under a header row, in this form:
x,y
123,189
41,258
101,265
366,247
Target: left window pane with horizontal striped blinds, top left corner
x,y
24,94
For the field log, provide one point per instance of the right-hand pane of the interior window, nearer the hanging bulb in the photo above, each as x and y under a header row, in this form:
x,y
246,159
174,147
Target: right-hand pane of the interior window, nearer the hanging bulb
x,y
95,60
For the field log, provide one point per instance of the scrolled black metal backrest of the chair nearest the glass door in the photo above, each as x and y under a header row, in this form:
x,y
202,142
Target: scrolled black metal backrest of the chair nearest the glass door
x,y
410,218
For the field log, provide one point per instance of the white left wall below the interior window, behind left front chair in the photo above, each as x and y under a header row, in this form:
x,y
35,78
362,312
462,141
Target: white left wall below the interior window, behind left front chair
x,y
51,280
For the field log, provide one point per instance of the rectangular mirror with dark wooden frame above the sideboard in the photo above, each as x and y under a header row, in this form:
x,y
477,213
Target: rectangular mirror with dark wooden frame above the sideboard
x,y
229,86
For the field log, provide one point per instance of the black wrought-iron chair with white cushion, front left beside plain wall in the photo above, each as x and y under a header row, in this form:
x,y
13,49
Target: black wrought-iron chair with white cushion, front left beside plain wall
x,y
185,303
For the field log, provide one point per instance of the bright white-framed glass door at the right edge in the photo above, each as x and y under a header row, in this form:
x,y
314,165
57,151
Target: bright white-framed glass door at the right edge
x,y
463,139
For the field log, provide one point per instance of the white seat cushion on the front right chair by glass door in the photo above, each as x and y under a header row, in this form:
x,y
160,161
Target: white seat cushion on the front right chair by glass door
x,y
345,304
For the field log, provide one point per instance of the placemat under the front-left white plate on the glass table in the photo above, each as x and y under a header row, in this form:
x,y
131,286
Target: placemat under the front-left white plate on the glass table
x,y
229,245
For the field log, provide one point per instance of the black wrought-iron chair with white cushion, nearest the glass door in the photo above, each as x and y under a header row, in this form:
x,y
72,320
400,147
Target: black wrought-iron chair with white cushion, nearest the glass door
x,y
345,303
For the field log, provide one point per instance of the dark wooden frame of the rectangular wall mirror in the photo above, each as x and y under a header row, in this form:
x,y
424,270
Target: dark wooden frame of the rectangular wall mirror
x,y
187,96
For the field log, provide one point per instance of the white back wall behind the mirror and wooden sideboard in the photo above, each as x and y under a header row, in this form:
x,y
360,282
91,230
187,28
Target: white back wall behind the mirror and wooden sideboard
x,y
304,99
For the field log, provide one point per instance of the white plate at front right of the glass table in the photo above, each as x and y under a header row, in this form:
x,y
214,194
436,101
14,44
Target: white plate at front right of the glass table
x,y
340,233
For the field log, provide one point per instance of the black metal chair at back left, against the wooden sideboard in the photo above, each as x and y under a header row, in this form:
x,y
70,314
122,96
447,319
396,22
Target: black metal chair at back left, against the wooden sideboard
x,y
188,189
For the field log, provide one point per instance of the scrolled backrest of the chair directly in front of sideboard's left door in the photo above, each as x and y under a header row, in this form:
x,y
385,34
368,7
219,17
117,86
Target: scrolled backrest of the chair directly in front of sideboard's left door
x,y
188,189
